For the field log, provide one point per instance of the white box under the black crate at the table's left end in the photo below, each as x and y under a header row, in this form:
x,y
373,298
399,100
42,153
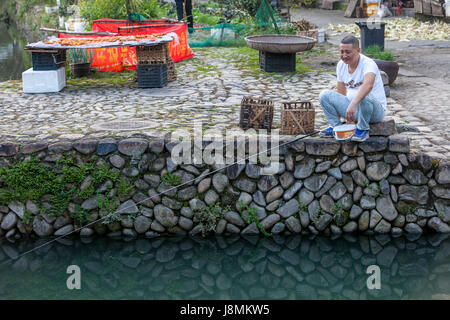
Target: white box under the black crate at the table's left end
x,y
43,81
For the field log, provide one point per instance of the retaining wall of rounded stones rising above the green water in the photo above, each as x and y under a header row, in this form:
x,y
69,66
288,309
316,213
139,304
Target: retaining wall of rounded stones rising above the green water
x,y
322,186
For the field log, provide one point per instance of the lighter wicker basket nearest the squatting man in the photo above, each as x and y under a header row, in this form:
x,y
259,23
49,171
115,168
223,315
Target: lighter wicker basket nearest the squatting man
x,y
297,118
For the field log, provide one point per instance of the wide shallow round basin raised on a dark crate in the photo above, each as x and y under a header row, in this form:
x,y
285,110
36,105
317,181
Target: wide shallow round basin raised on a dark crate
x,y
280,43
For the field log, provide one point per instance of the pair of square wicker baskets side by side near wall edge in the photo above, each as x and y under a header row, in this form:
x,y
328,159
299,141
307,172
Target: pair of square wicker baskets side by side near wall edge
x,y
297,117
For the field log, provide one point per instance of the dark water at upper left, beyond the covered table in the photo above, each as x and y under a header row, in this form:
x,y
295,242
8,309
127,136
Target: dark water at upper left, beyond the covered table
x,y
13,60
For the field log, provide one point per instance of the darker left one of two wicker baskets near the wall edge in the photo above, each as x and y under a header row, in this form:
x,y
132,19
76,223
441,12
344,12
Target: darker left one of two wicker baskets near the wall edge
x,y
256,113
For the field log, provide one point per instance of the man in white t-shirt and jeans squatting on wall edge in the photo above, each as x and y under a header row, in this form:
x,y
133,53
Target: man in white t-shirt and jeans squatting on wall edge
x,y
359,96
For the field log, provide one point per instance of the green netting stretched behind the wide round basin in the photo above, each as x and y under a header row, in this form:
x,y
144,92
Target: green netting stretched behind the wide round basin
x,y
225,34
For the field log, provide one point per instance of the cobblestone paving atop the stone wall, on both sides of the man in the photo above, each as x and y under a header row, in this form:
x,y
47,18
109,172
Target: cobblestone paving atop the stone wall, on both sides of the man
x,y
209,88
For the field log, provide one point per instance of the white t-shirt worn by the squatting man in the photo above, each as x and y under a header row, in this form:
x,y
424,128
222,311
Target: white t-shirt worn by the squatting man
x,y
355,80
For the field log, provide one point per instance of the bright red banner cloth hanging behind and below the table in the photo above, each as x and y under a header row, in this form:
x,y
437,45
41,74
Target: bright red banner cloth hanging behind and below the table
x,y
120,58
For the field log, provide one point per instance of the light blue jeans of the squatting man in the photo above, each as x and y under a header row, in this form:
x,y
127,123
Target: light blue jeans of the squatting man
x,y
334,104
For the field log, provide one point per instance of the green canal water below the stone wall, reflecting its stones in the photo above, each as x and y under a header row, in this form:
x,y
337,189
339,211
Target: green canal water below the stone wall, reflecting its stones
x,y
229,268
